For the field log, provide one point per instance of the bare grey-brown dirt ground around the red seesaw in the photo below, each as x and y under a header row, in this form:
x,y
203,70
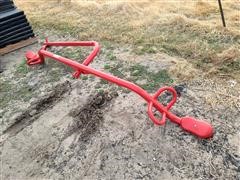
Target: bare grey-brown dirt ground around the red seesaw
x,y
63,128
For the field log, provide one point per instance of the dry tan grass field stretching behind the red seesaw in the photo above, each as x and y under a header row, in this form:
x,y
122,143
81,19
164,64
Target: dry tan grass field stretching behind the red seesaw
x,y
184,28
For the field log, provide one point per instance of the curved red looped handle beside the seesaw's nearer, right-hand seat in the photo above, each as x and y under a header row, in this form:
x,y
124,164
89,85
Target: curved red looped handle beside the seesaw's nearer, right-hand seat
x,y
170,104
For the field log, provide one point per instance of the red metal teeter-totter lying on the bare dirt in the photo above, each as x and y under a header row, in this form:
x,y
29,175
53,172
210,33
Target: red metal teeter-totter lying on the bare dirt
x,y
199,128
